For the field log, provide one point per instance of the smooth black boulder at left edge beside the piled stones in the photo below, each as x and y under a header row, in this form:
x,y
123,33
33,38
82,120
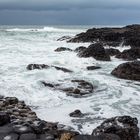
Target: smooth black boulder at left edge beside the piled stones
x,y
4,118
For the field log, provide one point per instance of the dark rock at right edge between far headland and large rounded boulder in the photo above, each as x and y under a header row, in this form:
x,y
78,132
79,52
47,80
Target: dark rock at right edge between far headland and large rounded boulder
x,y
130,54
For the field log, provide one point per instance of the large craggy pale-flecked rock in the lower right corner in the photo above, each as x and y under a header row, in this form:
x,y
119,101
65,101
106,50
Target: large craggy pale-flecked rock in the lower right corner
x,y
123,126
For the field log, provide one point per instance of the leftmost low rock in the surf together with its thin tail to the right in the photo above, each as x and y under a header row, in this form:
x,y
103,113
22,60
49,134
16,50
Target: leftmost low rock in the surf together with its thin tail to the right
x,y
43,66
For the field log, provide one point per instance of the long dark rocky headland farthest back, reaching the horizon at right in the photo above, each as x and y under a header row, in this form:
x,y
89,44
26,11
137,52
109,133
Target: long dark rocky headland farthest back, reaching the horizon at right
x,y
128,35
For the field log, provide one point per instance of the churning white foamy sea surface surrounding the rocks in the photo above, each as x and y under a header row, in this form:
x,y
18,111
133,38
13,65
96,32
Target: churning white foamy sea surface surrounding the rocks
x,y
23,45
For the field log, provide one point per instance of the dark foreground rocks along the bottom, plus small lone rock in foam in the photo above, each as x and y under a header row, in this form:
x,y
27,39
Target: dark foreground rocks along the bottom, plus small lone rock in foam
x,y
19,122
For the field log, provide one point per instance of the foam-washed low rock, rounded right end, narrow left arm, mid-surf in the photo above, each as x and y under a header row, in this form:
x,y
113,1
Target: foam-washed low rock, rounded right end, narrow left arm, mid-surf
x,y
78,88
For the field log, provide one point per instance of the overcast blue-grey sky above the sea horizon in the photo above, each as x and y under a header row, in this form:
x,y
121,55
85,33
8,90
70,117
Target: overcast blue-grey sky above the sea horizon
x,y
69,12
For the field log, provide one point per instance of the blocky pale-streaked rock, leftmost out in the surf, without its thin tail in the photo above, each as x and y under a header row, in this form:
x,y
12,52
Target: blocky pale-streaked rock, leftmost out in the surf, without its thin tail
x,y
37,66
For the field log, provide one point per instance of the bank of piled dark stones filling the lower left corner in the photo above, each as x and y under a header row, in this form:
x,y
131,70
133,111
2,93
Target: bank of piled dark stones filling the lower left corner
x,y
19,122
